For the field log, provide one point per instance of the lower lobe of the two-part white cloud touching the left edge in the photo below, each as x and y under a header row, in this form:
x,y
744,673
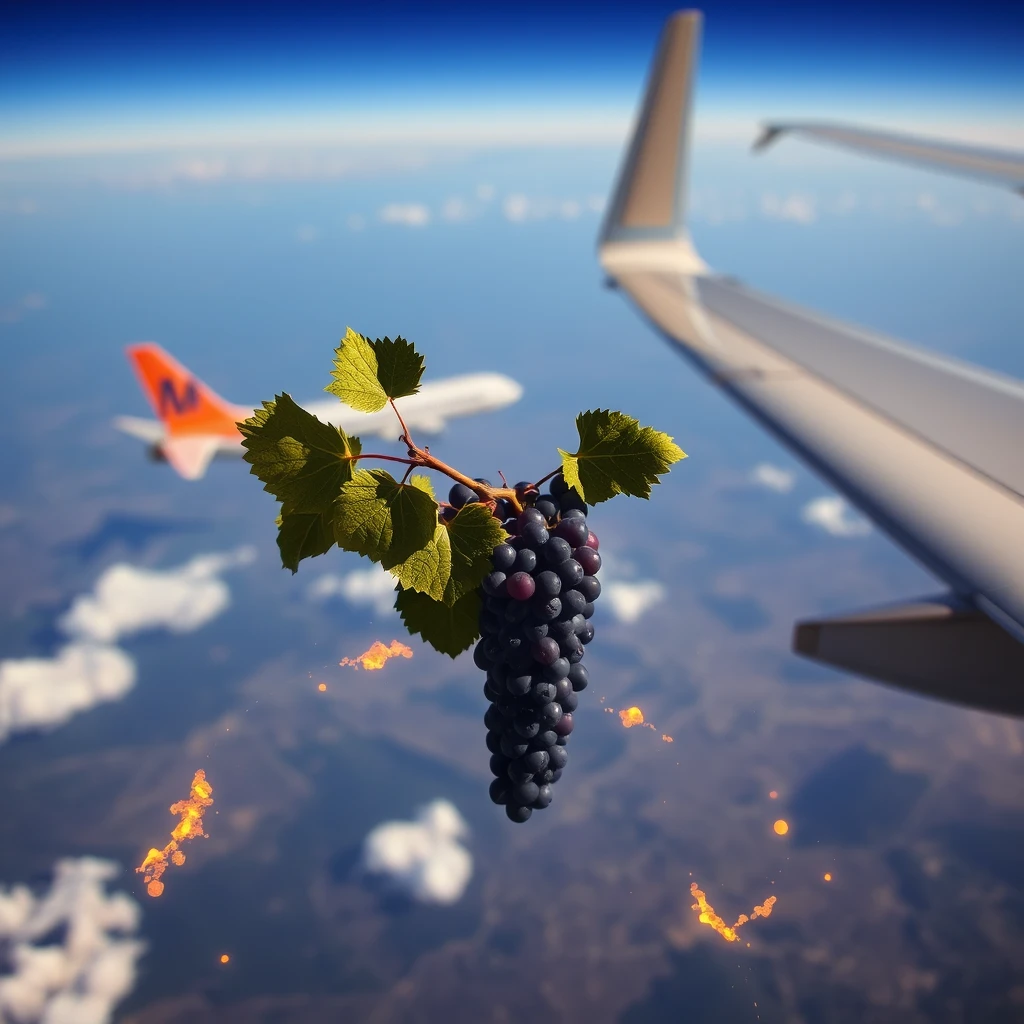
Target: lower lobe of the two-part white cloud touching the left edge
x,y
45,693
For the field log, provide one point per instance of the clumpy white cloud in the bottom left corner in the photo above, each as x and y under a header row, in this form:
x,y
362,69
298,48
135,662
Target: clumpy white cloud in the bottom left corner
x,y
81,980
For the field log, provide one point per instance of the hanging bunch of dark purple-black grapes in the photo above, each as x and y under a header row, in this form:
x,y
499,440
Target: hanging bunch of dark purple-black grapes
x,y
536,621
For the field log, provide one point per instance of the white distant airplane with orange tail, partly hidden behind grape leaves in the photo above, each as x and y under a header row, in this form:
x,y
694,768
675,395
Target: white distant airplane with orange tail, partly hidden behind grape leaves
x,y
196,425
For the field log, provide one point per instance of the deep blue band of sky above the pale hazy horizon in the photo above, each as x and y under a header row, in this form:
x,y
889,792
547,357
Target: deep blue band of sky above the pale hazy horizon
x,y
57,57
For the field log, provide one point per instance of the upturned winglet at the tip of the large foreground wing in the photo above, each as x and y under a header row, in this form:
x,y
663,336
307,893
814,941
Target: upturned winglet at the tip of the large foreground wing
x,y
647,220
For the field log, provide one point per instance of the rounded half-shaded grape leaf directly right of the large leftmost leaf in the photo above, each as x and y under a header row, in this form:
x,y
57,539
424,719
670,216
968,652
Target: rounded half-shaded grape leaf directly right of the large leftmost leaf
x,y
383,520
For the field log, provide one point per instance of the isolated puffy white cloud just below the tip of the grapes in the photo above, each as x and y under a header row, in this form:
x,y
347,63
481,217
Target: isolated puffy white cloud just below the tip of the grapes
x,y
422,858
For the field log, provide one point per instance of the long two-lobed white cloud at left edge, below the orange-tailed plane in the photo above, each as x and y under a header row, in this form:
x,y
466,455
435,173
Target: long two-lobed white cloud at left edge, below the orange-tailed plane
x,y
45,693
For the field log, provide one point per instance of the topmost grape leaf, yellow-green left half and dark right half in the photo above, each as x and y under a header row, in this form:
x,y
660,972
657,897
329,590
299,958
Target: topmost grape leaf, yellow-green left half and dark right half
x,y
367,374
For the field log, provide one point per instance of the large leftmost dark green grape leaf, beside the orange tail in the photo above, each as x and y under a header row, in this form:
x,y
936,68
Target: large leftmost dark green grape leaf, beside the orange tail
x,y
301,460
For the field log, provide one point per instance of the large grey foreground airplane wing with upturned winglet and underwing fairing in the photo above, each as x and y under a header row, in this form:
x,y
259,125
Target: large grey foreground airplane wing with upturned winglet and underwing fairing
x,y
927,447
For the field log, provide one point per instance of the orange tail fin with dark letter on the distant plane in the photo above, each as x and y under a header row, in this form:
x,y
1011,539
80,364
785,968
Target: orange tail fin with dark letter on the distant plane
x,y
184,404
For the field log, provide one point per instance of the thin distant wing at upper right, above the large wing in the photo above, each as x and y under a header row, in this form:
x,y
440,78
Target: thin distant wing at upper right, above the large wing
x,y
1003,167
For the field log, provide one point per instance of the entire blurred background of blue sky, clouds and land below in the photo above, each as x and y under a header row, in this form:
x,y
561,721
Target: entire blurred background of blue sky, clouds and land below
x,y
355,866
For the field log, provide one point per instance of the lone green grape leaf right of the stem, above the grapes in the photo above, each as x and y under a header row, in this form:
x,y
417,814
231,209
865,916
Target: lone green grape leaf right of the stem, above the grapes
x,y
617,456
